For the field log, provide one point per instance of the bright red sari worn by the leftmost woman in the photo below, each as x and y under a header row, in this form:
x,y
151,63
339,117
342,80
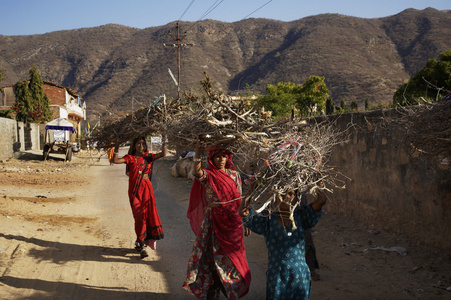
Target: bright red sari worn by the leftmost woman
x,y
142,200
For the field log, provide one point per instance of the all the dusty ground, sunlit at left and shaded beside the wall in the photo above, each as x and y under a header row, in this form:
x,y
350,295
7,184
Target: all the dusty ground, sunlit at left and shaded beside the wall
x,y
57,243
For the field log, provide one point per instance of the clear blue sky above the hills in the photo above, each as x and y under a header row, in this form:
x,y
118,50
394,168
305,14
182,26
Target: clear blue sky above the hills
x,y
25,17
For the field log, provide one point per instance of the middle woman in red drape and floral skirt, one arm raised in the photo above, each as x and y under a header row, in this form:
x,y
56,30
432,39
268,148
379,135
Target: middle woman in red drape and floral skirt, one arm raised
x,y
218,259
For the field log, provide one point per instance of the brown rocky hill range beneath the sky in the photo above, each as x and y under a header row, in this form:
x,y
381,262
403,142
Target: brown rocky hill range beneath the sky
x,y
110,65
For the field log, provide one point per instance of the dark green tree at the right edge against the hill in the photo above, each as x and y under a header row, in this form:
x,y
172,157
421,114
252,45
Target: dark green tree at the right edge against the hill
x,y
432,82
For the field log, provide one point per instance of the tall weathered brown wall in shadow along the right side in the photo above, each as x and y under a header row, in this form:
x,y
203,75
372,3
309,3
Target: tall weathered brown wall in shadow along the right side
x,y
391,186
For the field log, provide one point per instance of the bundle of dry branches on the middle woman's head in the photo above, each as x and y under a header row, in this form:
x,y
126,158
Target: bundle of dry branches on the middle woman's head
x,y
215,118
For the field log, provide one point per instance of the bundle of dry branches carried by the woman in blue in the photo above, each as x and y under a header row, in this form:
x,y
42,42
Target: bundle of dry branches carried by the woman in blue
x,y
297,160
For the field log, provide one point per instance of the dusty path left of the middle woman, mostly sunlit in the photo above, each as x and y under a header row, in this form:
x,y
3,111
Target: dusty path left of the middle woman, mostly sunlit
x,y
76,241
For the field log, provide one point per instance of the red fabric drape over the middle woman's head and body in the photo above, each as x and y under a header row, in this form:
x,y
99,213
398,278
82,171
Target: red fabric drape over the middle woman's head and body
x,y
226,221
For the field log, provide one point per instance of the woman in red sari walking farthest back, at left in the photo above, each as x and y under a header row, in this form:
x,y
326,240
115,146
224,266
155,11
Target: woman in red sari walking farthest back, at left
x,y
148,227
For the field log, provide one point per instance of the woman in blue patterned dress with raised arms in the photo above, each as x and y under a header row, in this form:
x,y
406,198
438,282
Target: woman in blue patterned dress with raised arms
x,y
288,276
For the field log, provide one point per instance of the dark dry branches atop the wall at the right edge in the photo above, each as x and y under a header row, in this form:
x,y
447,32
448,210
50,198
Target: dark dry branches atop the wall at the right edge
x,y
427,127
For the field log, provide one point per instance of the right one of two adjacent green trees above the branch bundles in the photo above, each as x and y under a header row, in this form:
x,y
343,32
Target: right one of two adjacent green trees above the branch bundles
x,y
313,95
